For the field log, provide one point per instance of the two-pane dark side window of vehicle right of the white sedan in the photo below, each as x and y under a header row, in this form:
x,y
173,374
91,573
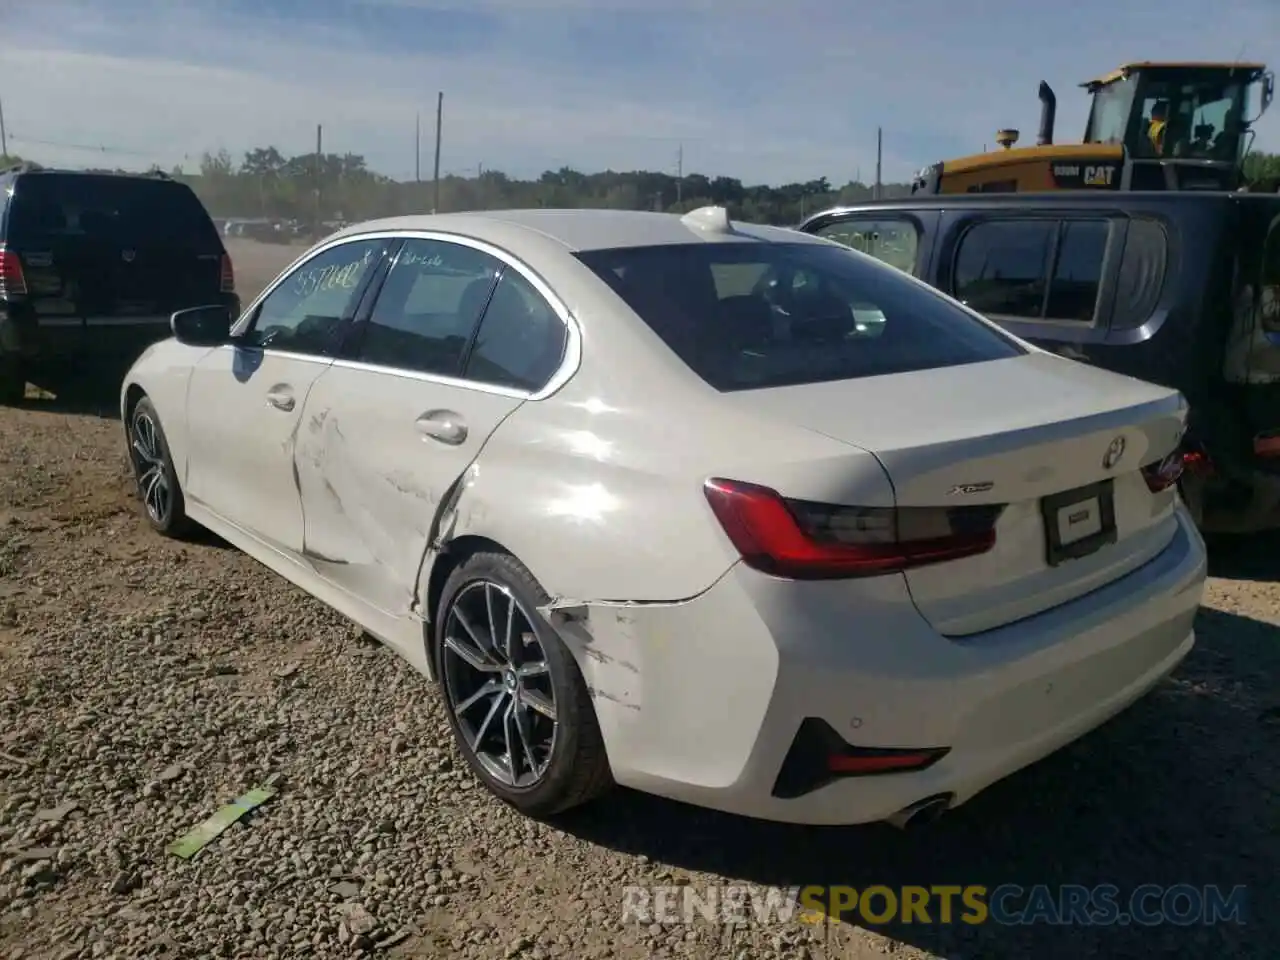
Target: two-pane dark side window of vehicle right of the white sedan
x,y
1032,269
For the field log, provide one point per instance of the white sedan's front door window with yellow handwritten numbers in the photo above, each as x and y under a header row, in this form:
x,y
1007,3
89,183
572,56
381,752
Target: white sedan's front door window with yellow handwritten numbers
x,y
304,313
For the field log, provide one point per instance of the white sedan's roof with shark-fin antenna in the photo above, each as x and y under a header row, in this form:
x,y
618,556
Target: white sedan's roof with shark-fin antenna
x,y
586,230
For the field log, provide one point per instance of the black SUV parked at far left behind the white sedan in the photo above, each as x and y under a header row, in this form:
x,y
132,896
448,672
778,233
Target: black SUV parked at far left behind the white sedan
x,y
93,266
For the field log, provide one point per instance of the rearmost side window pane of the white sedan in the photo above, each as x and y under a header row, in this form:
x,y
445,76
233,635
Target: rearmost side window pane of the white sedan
x,y
522,340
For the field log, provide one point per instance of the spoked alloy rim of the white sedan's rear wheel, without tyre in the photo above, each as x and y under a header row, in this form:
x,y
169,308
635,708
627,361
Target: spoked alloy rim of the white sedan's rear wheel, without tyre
x,y
499,684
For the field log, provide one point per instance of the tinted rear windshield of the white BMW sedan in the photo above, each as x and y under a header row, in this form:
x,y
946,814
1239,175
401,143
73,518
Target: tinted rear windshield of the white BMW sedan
x,y
756,316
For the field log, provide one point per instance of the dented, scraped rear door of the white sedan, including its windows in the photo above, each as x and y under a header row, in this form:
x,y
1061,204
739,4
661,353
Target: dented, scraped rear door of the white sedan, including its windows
x,y
454,342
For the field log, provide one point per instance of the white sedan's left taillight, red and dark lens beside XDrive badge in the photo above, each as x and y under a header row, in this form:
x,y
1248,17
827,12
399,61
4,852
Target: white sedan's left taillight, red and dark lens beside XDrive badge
x,y
804,541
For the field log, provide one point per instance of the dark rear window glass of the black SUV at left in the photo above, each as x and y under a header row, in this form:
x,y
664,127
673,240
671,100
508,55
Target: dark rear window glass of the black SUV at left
x,y
127,211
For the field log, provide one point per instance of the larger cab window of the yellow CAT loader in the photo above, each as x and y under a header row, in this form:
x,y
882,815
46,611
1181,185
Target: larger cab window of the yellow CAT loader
x,y
1190,115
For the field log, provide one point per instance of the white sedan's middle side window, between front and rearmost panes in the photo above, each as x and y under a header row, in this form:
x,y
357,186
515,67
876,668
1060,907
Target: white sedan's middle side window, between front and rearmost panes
x,y
428,308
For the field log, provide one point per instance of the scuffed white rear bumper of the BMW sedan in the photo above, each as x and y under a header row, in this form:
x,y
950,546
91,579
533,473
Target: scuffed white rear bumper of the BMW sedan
x,y
702,701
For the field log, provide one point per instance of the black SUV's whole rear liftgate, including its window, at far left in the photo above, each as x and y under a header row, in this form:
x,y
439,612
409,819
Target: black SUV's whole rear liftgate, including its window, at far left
x,y
111,248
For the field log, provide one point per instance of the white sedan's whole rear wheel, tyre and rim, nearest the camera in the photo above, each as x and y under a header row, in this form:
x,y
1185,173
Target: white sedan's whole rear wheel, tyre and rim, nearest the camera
x,y
516,701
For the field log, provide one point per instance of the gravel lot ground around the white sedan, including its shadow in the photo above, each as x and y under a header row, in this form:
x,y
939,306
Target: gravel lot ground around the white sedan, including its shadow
x,y
144,684
